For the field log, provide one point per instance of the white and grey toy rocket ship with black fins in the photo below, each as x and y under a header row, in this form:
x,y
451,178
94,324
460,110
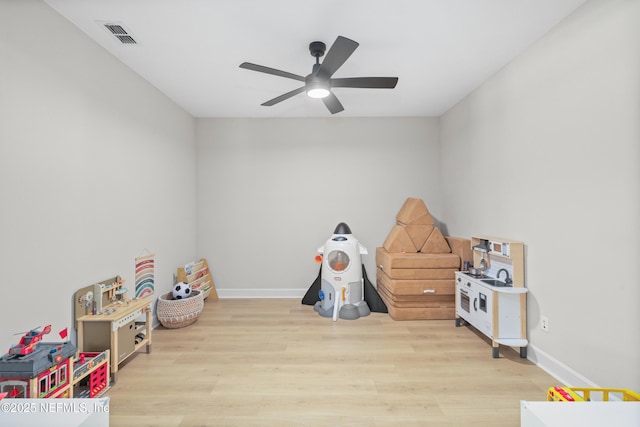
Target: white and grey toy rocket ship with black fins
x,y
340,288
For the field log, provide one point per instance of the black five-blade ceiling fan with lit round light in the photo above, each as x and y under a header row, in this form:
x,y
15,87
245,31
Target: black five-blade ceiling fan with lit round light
x,y
319,82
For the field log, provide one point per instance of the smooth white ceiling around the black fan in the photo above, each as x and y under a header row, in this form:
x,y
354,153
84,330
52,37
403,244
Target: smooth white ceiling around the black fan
x,y
440,49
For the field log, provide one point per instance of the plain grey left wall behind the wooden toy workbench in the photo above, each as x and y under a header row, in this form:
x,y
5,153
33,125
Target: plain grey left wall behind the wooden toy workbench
x,y
95,166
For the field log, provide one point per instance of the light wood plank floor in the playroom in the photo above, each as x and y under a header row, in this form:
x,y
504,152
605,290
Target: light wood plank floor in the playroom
x,y
276,362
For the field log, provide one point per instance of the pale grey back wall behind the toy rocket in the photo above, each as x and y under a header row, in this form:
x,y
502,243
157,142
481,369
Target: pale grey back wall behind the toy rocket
x,y
271,192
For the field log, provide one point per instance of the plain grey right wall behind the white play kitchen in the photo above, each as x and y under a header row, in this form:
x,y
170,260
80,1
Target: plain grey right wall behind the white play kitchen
x,y
547,152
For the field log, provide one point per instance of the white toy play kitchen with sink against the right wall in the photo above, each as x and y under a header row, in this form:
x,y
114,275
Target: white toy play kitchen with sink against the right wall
x,y
491,296
